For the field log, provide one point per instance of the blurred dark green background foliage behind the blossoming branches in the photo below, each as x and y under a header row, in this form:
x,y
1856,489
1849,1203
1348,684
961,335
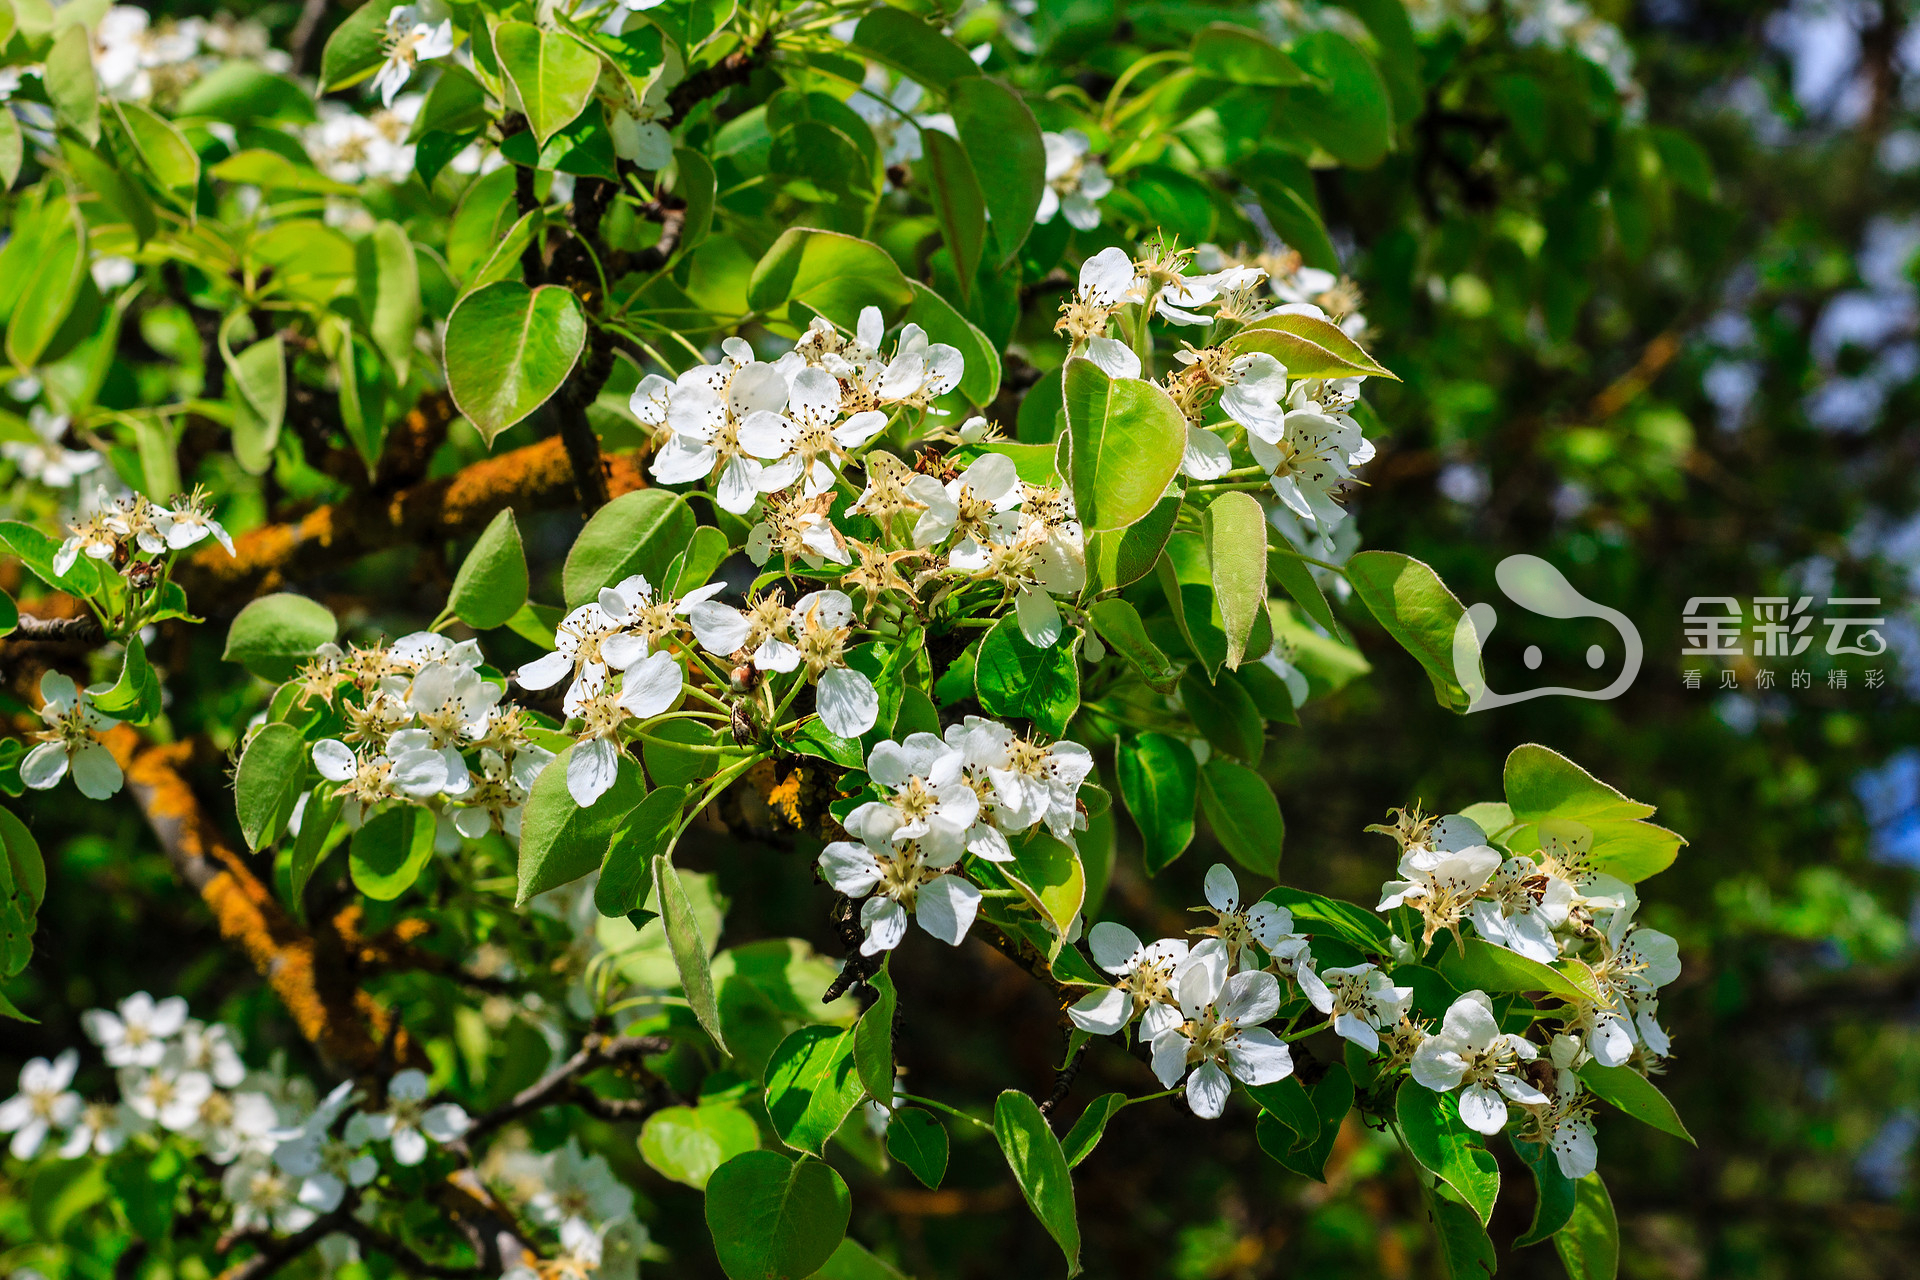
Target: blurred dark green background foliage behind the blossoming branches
x,y
1664,339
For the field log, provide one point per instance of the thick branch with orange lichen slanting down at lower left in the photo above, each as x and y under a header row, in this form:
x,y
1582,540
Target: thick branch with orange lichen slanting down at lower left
x,y
302,968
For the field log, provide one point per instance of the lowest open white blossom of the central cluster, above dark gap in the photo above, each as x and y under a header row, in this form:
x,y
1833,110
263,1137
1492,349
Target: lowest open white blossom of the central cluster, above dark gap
x,y
905,878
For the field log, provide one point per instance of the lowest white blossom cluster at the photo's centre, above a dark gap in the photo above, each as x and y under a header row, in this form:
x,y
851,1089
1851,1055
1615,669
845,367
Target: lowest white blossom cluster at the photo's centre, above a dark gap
x,y
942,799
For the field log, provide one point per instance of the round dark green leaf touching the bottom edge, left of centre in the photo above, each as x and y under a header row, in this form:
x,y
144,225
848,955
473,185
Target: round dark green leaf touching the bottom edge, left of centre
x,y
777,1220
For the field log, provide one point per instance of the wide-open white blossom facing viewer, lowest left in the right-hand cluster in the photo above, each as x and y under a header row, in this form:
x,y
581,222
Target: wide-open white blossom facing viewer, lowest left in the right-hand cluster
x,y
1220,1037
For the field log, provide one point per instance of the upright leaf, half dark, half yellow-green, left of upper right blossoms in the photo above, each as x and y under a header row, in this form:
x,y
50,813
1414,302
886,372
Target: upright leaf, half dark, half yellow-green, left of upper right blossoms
x,y
1128,446
